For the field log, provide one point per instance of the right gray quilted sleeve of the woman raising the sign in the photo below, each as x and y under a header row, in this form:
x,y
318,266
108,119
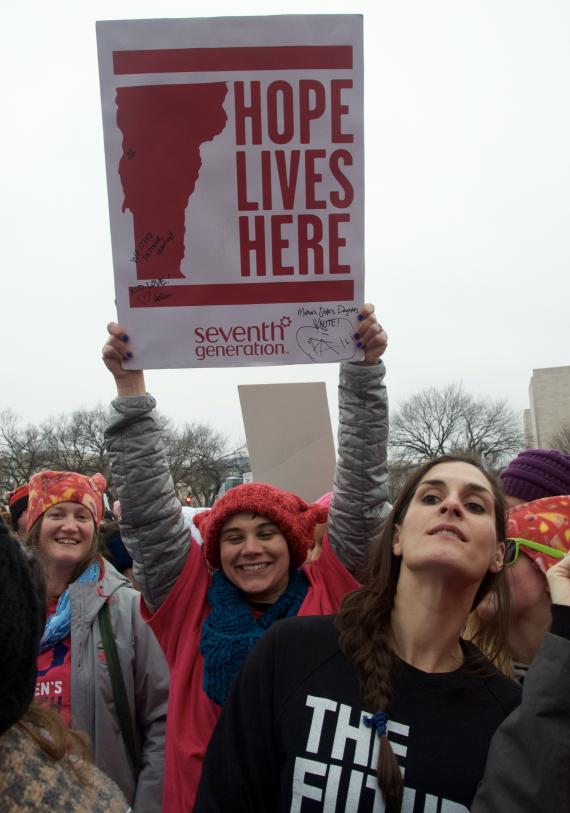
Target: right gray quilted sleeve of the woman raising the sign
x,y
359,503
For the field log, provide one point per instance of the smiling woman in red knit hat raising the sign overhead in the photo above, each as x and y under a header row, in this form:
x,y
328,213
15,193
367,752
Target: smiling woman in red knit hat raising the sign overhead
x,y
209,606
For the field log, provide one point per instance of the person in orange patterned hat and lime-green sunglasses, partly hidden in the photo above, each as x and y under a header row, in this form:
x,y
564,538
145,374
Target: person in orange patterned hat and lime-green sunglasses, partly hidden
x,y
538,537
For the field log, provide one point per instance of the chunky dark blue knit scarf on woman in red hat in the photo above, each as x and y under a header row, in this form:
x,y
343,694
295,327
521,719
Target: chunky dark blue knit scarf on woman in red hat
x,y
231,630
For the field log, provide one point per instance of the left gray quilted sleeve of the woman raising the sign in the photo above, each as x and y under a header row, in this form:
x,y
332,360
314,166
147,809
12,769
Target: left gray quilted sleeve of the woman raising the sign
x,y
152,526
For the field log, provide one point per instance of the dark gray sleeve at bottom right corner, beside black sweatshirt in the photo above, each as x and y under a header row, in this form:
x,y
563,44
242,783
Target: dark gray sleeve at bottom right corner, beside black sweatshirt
x,y
529,757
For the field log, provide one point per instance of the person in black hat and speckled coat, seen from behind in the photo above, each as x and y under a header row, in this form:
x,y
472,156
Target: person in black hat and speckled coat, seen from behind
x,y
44,766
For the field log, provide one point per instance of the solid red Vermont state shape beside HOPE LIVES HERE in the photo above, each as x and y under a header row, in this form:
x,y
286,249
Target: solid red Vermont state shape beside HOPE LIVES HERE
x,y
163,128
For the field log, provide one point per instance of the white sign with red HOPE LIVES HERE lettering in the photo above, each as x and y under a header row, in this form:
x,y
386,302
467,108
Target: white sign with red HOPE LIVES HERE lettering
x,y
235,174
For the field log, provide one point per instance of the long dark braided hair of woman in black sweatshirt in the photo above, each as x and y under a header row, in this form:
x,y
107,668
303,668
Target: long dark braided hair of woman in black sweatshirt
x,y
364,620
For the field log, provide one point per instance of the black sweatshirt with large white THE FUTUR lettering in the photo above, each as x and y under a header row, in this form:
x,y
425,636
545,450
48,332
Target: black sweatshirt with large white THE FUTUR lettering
x,y
292,738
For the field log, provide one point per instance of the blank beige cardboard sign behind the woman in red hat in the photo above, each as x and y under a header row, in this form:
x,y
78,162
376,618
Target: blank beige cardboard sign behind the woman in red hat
x,y
289,436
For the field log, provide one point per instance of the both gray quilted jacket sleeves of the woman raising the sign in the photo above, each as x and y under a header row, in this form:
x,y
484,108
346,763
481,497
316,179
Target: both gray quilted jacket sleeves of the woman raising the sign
x,y
152,526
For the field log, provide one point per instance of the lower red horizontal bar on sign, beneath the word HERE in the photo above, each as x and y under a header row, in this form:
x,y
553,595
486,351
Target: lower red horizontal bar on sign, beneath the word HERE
x,y
245,293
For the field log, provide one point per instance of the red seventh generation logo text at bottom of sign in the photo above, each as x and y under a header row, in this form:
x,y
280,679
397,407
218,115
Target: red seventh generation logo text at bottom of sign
x,y
263,339
